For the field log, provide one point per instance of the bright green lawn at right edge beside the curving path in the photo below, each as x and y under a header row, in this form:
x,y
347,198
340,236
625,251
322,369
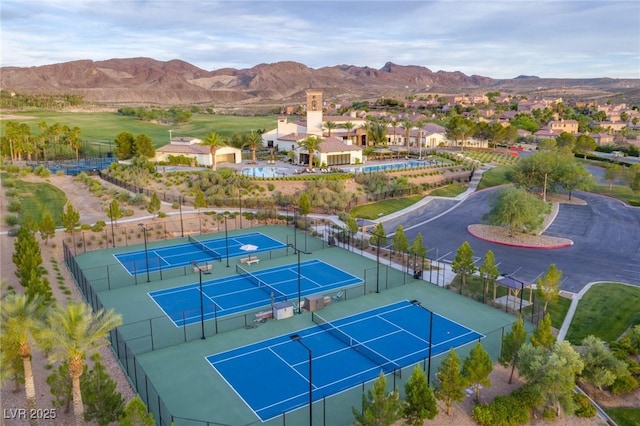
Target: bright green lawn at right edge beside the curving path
x,y
605,311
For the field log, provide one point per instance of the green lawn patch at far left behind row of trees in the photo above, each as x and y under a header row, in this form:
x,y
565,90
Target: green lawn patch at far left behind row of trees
x,y
38,198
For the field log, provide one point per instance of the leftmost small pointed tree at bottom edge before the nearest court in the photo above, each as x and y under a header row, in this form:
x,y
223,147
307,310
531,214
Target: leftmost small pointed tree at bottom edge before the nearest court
x,y
379,407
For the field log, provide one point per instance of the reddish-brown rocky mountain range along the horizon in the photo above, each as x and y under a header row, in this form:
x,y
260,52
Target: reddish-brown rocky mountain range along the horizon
x,y
145,81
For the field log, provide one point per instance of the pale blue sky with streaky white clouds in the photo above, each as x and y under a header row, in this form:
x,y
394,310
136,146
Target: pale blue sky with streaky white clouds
x,y
498,39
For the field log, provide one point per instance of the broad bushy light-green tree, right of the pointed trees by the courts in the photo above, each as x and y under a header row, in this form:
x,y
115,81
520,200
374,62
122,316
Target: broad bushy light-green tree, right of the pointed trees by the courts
x,y
552,372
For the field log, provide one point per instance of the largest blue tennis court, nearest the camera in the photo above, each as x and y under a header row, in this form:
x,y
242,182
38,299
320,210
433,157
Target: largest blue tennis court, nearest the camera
x,y
272,376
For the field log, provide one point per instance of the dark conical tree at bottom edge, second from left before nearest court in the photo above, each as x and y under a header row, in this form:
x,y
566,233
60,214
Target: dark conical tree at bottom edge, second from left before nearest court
x,y
419,401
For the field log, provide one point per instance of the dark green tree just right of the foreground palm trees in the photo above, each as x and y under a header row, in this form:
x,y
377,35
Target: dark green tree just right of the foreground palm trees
x,y
103,403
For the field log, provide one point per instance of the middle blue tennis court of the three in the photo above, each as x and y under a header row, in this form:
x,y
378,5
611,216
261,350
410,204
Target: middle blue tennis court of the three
x,y
242,292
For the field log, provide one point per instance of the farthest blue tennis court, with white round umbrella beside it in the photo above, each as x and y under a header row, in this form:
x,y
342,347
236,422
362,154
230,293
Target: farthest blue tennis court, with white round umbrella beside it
x,y
135,262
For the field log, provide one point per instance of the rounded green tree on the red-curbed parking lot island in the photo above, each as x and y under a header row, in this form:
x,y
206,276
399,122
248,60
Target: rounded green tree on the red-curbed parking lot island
x,y
516,209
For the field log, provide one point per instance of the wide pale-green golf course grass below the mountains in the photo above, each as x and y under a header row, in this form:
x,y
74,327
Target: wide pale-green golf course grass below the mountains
x,y
104,126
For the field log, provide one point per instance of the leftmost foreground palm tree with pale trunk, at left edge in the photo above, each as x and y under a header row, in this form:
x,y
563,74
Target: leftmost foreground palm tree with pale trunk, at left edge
x,y
22,319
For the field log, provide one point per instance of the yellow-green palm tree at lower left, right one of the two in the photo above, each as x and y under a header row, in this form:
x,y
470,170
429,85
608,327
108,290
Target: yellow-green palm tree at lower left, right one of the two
x,y
76,333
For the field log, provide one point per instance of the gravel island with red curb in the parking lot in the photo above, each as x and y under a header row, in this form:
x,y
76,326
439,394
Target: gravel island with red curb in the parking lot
x,y
503,236
